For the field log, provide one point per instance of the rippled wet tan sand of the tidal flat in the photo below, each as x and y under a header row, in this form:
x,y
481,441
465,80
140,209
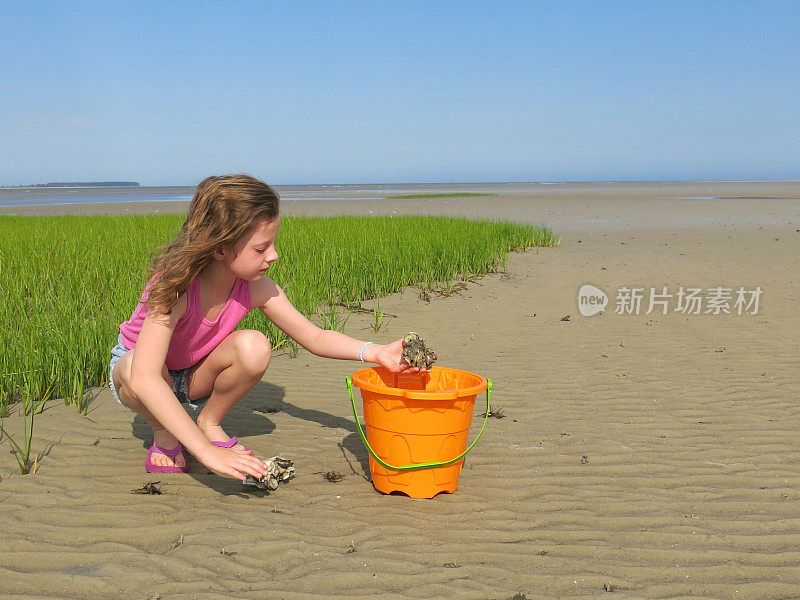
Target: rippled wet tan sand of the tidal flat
x,y
655,456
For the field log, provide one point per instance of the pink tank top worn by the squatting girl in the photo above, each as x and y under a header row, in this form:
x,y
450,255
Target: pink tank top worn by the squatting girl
x,y
195,336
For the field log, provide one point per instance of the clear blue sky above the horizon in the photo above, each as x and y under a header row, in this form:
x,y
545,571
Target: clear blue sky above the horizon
x,y
166,93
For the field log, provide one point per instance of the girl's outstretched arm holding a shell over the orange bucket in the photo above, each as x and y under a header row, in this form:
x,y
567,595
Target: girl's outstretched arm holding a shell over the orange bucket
x,y
271,299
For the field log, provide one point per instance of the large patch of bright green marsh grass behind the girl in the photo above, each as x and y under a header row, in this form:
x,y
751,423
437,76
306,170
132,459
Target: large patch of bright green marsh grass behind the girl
x,y
67,282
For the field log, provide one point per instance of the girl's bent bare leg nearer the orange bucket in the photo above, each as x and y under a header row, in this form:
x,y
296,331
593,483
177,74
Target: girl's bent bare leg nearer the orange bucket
x,y
228,373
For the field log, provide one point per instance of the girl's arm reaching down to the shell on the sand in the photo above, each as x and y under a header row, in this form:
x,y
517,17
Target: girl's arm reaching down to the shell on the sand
x,y
152,390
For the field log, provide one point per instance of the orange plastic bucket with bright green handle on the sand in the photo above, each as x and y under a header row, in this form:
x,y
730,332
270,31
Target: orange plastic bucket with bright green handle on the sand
x,y
417,427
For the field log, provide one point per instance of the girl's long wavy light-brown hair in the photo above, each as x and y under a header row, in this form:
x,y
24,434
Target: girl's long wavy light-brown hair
x,y
223,209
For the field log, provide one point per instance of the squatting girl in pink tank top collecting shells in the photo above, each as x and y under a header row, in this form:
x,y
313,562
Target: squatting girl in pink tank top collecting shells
x,y
179,347
